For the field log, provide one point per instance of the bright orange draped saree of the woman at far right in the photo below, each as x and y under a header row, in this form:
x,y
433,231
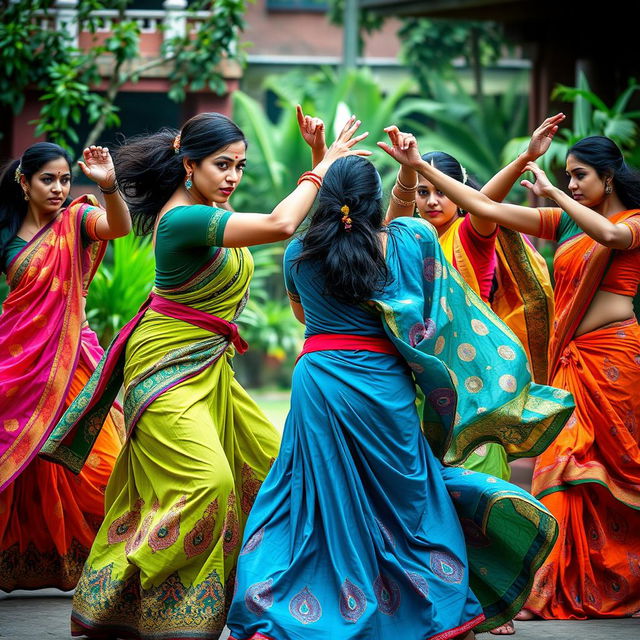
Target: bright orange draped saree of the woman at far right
x,y
589,477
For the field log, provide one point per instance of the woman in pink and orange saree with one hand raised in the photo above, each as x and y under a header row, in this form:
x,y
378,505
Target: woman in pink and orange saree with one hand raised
x,y
48,516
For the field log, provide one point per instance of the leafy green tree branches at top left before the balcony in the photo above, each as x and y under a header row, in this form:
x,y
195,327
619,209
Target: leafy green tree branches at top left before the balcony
x,y
46,60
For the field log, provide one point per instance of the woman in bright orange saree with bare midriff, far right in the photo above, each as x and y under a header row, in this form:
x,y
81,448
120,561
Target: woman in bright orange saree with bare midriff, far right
x,y
589,477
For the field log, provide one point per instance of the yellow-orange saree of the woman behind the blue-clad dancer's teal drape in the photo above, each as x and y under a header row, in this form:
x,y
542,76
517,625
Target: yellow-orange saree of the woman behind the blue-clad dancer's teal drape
x,y
522,297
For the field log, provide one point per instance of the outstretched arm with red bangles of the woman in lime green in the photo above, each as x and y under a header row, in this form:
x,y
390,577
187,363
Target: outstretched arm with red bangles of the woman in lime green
x,y
246,229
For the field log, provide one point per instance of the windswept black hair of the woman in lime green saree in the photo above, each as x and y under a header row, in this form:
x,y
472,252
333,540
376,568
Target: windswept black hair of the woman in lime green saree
x,y
149,169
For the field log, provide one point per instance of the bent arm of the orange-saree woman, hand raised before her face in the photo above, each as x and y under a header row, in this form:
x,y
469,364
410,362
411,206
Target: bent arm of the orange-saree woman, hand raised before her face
x,y
594,224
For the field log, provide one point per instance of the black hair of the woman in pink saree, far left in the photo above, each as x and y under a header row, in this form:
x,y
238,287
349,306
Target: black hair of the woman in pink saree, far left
x,y
13,206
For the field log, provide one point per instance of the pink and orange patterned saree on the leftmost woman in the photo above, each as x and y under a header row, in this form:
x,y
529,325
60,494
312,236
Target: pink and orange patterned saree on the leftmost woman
x,y
48,517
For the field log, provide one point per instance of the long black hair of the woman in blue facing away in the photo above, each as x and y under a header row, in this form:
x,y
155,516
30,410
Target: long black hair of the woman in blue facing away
x,y
352,261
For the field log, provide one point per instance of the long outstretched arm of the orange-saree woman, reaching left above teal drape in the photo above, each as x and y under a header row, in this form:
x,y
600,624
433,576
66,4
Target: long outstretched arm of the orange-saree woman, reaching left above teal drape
x,y
524,219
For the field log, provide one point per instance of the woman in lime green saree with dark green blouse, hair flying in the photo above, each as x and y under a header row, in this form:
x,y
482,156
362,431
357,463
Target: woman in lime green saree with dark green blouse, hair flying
x,y
198,447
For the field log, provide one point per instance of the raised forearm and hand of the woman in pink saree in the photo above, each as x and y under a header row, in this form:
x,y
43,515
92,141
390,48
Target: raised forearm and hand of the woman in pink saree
x,y
97,165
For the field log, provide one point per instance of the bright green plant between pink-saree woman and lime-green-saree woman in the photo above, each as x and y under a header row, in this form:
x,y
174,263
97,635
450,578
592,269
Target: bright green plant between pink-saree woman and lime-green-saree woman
x,y
120,286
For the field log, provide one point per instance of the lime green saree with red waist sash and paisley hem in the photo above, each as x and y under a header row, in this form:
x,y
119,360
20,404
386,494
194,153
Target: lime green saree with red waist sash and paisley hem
x,y
198,449
